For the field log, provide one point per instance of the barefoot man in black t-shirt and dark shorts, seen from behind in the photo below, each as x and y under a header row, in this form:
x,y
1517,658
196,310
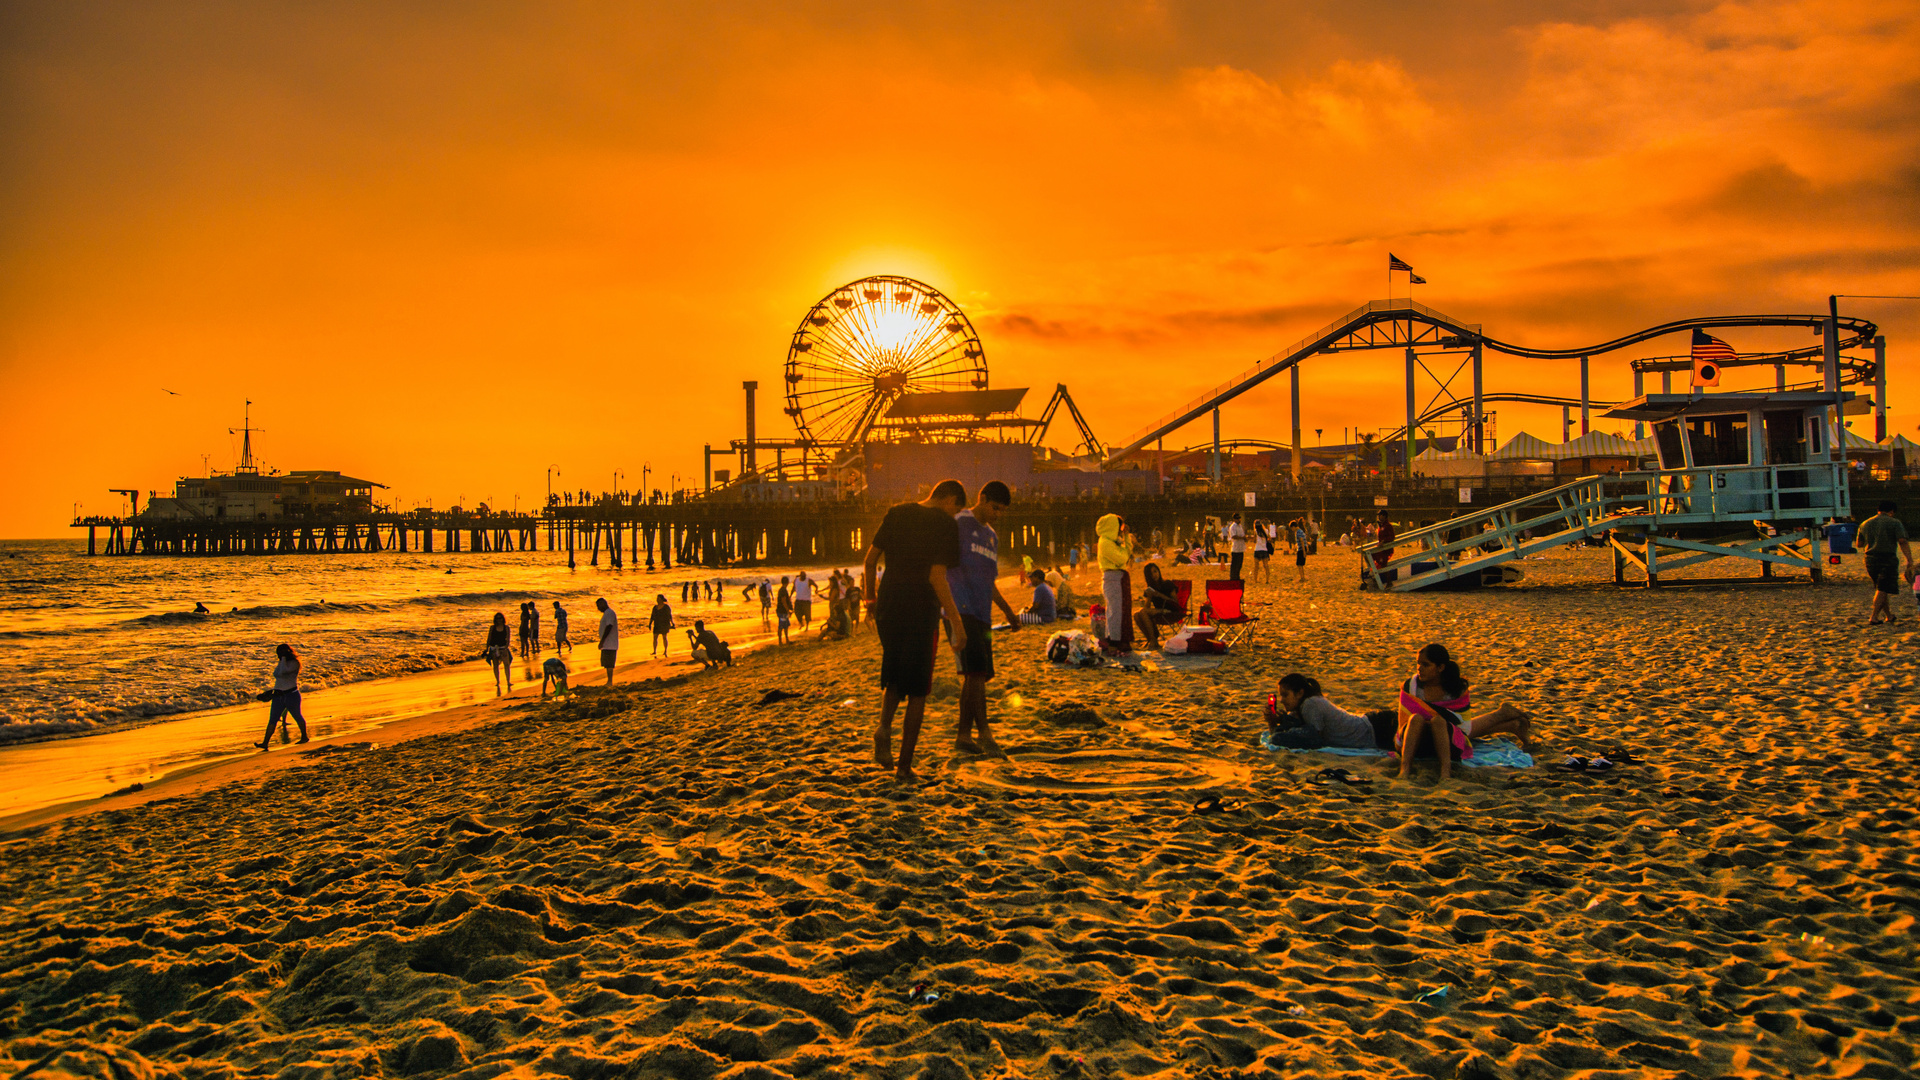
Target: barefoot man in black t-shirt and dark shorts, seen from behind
x,y
921,541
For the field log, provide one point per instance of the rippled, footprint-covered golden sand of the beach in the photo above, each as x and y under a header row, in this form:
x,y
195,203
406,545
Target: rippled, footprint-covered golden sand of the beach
x,y
667,879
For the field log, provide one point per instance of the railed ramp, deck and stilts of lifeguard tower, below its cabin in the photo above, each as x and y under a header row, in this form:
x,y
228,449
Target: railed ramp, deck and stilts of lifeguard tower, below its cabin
x,y
1781,504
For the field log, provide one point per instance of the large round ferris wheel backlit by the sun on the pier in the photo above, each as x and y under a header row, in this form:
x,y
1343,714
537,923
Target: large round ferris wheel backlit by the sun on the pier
x,y
871,341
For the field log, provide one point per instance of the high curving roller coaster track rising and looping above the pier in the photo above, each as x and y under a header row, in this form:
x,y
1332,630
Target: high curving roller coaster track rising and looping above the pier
x,y
1404,324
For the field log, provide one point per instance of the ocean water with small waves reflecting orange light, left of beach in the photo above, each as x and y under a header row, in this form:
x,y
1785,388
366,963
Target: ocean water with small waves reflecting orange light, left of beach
x,y
97,643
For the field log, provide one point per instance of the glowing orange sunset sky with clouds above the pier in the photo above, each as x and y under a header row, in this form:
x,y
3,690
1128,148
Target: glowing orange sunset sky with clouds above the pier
x,y
450,247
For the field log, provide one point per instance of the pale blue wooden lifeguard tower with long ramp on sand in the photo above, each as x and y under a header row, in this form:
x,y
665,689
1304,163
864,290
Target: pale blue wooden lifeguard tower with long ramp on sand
x,y
1765,466
